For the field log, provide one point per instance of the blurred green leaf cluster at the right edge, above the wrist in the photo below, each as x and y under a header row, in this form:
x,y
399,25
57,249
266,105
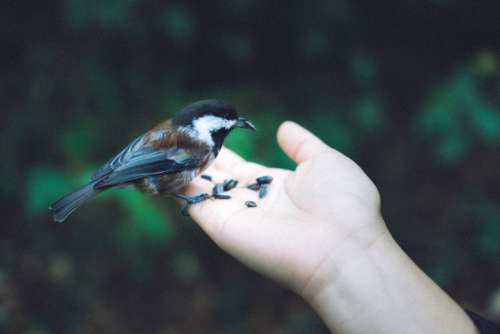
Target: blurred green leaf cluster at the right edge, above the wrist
x,y
458,117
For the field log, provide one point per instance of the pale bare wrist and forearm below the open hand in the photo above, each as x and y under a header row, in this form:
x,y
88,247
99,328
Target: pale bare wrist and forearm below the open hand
x,y
376,288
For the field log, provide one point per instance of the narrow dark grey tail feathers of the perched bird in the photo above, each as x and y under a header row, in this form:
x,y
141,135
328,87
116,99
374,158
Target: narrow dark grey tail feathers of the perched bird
x,y
64,206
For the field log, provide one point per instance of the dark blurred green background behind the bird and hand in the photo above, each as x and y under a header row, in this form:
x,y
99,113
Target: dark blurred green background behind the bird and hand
x,y
408,89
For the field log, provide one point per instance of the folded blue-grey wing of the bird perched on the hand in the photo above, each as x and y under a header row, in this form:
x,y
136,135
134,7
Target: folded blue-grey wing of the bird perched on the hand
x,y
149,161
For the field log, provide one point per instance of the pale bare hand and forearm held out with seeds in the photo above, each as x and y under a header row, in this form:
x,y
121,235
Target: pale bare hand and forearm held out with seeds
x,y
320,232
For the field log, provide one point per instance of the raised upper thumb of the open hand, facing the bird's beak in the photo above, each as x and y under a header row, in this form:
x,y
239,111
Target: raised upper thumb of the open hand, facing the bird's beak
x,y
298,143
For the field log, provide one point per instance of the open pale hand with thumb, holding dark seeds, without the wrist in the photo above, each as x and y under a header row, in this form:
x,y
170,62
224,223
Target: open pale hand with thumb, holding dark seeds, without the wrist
x,y
298,231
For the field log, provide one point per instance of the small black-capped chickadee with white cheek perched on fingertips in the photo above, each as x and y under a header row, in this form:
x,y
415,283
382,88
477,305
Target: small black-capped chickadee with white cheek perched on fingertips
x,y
166,158
